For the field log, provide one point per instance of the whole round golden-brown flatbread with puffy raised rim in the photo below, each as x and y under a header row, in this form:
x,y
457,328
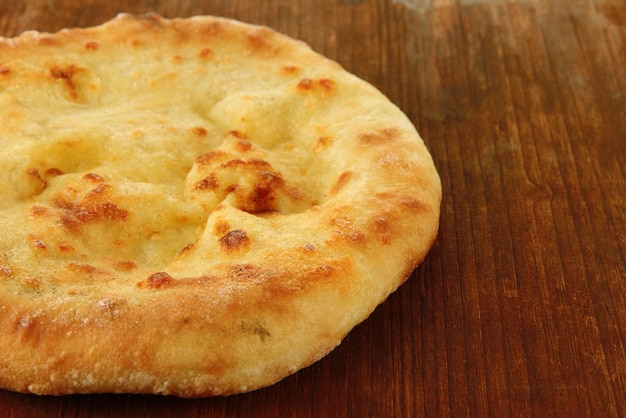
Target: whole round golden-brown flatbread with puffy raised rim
x,y
194,207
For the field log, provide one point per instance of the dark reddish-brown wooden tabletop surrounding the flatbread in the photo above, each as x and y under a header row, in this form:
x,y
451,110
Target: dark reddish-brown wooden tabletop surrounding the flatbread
x,y
520,307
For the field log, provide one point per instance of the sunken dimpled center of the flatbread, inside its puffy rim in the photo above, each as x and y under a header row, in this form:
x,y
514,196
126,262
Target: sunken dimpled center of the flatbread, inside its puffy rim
x,y
123,166
